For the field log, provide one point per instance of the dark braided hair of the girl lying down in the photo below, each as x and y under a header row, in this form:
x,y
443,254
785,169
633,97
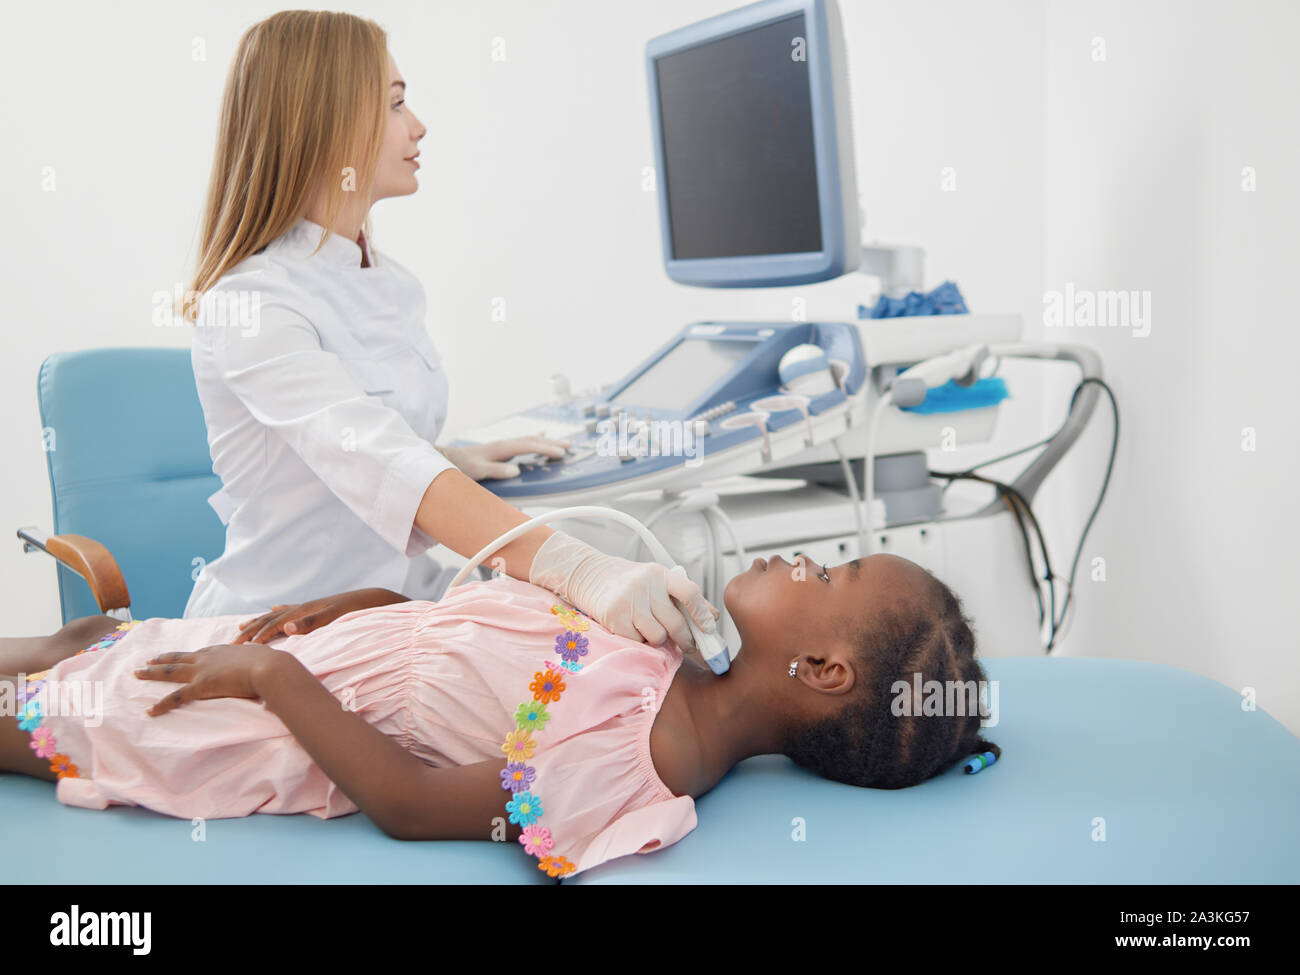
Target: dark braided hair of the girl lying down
x,y
868,744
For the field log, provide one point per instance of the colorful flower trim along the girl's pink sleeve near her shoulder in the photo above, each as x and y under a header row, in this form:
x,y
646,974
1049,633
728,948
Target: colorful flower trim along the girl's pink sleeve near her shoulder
x,y
519,778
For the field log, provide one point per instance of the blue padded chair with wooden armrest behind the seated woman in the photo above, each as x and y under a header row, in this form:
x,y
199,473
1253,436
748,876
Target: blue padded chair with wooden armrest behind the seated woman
x,y
129,470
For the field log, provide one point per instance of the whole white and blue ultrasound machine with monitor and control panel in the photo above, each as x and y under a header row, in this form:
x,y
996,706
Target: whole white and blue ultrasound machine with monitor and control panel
x,y
791,437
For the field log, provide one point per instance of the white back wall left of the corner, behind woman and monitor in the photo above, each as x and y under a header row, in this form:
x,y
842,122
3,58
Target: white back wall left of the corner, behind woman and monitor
x,y
532,188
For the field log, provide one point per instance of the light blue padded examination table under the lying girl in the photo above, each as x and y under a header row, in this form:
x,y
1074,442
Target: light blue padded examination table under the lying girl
x,y
1190,787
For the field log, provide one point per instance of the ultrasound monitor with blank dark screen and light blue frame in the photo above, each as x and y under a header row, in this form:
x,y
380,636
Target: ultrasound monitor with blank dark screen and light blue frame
x,y
755,148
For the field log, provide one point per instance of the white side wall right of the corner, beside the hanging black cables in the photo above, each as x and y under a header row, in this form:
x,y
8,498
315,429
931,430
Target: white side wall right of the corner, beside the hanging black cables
x,y
1145,161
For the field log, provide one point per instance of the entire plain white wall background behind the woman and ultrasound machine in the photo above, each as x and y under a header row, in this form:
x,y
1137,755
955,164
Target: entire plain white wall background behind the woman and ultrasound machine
x,y
1115,175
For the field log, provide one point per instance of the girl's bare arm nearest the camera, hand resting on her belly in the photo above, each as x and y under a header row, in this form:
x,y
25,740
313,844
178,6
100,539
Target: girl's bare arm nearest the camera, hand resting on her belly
x,y
404,796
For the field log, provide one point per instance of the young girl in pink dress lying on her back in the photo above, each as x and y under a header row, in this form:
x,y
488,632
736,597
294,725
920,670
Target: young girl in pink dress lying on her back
x,y
496,713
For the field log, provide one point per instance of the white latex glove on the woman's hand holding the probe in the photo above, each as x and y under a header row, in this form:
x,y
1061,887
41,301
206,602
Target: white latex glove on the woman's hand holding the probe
x,y
630,599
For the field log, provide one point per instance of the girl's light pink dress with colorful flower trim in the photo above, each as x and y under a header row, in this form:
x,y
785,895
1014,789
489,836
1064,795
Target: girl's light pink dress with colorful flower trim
x,y
469,679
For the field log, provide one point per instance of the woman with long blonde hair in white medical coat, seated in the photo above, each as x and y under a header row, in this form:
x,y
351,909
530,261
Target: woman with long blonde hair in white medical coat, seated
x,y
322,391
